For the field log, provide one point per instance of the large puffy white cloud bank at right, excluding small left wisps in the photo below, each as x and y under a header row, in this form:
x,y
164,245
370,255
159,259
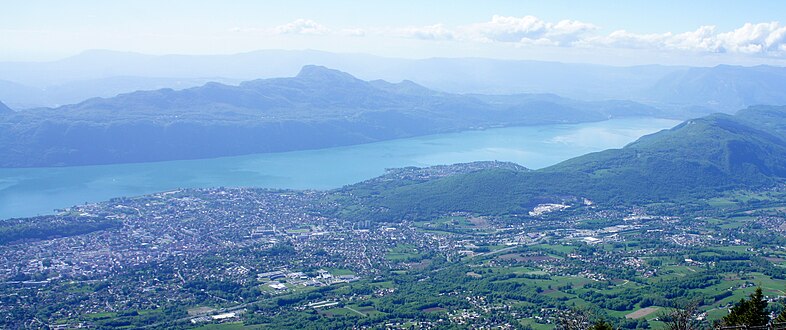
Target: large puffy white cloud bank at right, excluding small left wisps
x,y
761,38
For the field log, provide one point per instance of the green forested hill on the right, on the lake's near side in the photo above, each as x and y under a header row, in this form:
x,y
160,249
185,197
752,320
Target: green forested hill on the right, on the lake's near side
x,y
699,158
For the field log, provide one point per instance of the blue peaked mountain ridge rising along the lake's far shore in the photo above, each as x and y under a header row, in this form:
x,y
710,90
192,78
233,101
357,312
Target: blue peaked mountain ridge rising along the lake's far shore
x,y
318,108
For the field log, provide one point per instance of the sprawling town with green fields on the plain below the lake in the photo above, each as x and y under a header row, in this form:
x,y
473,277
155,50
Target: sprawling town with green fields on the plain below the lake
x,y
222,255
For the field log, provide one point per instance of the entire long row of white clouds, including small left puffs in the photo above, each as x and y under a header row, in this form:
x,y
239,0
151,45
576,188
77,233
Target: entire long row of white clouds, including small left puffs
x,y
767,39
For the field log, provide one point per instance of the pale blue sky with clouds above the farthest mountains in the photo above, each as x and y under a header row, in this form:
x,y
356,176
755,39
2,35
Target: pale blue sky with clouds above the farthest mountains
x,y
604,32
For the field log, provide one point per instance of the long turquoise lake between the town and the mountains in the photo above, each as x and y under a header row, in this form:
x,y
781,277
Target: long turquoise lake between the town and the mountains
x,y
36,191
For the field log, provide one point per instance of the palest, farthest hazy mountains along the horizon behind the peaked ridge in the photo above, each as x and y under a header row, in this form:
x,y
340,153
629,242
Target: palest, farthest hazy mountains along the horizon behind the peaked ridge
x,y
685,90
